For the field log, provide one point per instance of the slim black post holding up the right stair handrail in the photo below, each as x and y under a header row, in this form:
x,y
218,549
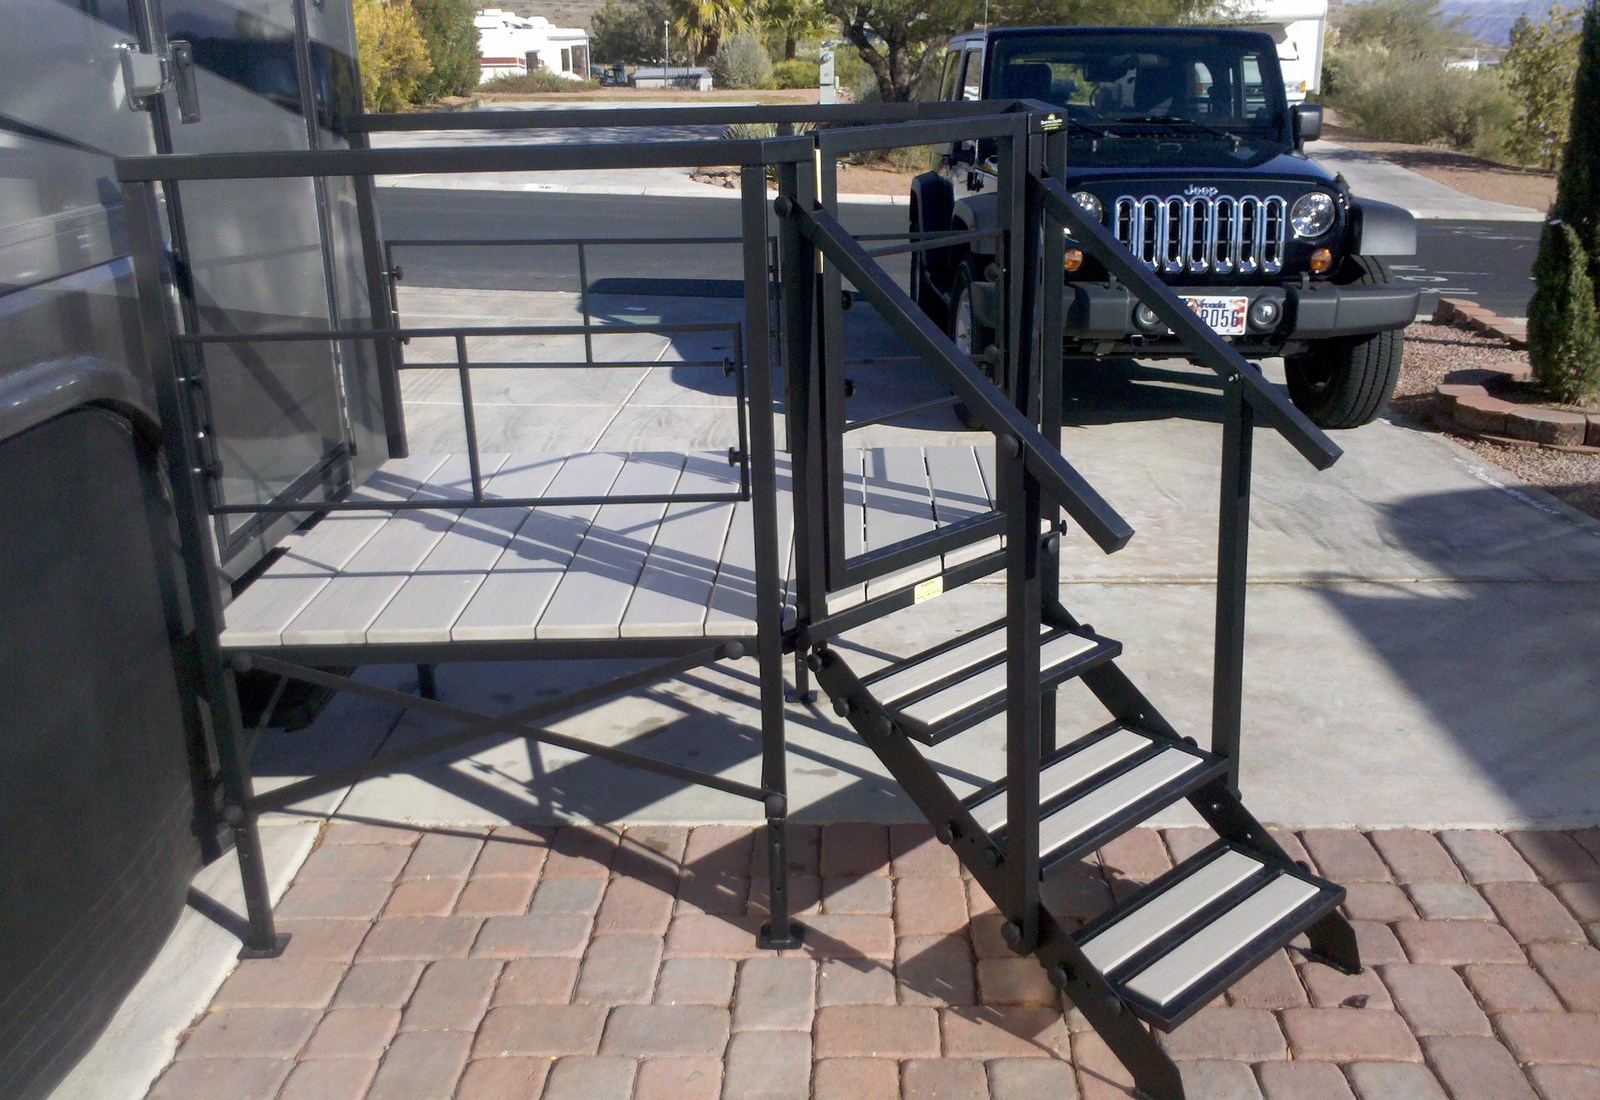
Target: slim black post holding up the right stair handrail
x,y
1233,552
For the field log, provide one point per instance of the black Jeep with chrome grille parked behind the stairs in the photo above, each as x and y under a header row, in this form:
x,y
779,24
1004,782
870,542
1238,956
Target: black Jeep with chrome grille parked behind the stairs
x,y
1183,146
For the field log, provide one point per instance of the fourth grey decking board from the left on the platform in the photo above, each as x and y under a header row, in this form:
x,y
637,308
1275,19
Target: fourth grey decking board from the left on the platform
x,y
513,597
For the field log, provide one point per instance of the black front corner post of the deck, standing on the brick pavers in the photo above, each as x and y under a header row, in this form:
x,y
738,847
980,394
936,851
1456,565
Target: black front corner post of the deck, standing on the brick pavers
x,y
780,930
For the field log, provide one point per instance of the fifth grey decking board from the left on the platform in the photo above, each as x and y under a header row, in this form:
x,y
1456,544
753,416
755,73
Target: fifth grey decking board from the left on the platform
x,y
606,570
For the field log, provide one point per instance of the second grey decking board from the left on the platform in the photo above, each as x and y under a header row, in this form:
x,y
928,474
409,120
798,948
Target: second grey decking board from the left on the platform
x,y
342,613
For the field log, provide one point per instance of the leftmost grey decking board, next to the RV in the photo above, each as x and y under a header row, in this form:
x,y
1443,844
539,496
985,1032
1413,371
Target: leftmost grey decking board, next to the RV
x,y
265,608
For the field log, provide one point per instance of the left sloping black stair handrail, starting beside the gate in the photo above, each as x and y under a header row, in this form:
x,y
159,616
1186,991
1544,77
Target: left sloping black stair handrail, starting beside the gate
x,y
1046,463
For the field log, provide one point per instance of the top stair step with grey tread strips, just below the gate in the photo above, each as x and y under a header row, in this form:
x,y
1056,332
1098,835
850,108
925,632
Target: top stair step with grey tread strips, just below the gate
x,y
956,687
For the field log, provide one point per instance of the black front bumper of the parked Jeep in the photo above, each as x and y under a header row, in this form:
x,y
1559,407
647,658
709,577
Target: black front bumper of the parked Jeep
x,y
1103,314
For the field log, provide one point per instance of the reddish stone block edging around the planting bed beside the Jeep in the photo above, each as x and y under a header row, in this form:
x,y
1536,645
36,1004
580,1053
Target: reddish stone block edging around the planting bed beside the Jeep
x,y
1476,410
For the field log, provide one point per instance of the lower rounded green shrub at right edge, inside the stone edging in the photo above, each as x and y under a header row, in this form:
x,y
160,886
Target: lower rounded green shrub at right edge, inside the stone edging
x,y
1564,325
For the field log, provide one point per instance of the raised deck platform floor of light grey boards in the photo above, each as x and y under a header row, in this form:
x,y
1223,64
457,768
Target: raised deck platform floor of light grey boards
x,y
562,573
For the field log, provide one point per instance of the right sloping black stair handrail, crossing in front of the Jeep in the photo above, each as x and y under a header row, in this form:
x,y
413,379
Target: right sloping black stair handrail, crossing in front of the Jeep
x,y
1206,346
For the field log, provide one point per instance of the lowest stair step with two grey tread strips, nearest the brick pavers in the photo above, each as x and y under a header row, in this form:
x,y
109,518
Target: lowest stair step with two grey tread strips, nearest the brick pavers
x,y
1193,933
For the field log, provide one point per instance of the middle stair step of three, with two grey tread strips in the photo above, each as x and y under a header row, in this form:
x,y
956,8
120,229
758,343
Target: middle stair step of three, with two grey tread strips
x,y
1102,786
